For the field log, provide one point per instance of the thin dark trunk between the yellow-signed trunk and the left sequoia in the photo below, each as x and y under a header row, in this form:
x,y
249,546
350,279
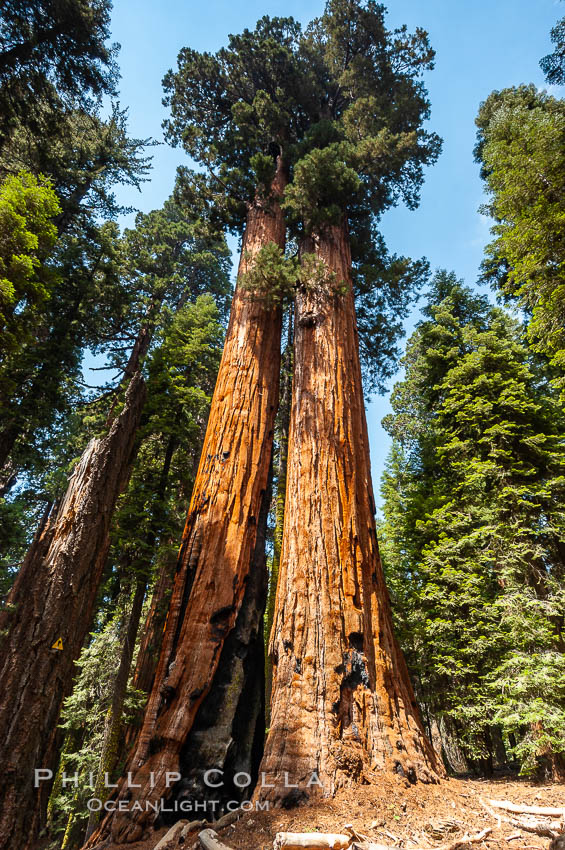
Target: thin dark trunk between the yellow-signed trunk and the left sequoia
x,y
113,728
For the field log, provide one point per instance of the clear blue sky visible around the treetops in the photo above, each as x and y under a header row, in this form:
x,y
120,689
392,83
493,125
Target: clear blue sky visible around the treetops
x,y
480,46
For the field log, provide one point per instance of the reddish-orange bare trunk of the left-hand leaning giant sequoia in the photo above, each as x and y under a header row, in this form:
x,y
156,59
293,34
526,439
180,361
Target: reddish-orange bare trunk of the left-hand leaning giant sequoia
x,y
219,538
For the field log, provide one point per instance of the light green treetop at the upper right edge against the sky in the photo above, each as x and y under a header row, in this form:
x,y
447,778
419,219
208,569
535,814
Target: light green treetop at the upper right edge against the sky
x,y
520,149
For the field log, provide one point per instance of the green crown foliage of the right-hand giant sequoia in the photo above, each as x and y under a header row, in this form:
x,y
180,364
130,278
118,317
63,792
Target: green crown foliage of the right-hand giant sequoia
x,y
364,151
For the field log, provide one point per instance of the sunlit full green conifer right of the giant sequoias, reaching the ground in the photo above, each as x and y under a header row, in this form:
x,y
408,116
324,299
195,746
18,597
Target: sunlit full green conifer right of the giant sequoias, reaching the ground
x,y
472,531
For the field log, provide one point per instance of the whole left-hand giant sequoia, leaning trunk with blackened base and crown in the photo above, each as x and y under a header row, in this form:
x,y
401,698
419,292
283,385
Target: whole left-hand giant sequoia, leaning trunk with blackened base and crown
x,y
237,112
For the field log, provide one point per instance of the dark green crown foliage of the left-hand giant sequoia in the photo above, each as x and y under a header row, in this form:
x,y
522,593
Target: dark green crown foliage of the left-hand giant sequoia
x,y
236,110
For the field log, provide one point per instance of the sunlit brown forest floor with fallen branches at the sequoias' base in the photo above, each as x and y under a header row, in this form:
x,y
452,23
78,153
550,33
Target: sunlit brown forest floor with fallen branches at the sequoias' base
x,y
400,815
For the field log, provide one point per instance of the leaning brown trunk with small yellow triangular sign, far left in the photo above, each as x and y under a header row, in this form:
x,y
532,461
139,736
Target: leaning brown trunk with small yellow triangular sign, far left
x,y
52,598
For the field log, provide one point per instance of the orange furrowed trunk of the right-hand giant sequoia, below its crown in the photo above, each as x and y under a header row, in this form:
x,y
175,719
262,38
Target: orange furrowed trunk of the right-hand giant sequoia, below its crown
x,y
342,706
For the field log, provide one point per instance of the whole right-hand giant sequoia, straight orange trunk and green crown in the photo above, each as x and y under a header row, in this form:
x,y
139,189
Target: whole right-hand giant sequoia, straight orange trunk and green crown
x,y
342,704
